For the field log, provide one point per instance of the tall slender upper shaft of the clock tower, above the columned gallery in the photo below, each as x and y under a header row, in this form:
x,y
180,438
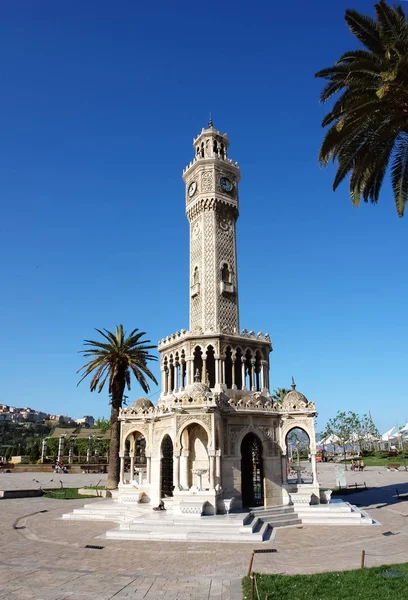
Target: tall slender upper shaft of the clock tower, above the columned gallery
x,y
212,209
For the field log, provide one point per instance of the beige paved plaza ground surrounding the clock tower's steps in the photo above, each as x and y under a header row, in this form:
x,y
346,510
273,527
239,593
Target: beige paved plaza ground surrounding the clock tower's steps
x,y
45,558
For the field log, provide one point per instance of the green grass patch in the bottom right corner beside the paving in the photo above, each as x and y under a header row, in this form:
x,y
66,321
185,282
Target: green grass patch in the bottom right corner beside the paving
x,y
363,584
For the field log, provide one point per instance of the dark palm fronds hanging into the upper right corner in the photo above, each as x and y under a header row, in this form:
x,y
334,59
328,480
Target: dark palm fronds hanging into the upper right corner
x,y
368,124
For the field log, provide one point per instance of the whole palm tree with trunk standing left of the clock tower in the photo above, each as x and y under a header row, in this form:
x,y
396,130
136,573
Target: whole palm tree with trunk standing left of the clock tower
x,y
114,360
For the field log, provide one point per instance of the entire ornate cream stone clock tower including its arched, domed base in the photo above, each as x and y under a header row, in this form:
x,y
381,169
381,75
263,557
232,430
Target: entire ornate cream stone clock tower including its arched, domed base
x,y
216,432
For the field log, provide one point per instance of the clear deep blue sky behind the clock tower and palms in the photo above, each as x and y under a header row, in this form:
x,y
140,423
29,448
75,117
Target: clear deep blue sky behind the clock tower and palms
x,y
98,107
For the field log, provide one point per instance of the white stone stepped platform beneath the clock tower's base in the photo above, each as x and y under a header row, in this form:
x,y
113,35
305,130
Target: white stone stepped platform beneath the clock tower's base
x,y
140,522
